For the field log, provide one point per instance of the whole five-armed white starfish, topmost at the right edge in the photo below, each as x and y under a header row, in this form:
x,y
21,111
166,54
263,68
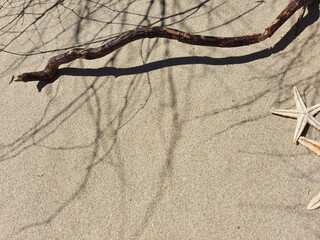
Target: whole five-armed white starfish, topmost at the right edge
x,y
303,114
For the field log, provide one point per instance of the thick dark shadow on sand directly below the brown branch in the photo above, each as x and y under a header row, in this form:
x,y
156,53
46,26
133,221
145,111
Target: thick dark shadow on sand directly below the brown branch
x,y
283,43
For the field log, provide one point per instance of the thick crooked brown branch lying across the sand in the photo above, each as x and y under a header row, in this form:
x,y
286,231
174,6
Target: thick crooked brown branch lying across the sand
x,y
160,32
